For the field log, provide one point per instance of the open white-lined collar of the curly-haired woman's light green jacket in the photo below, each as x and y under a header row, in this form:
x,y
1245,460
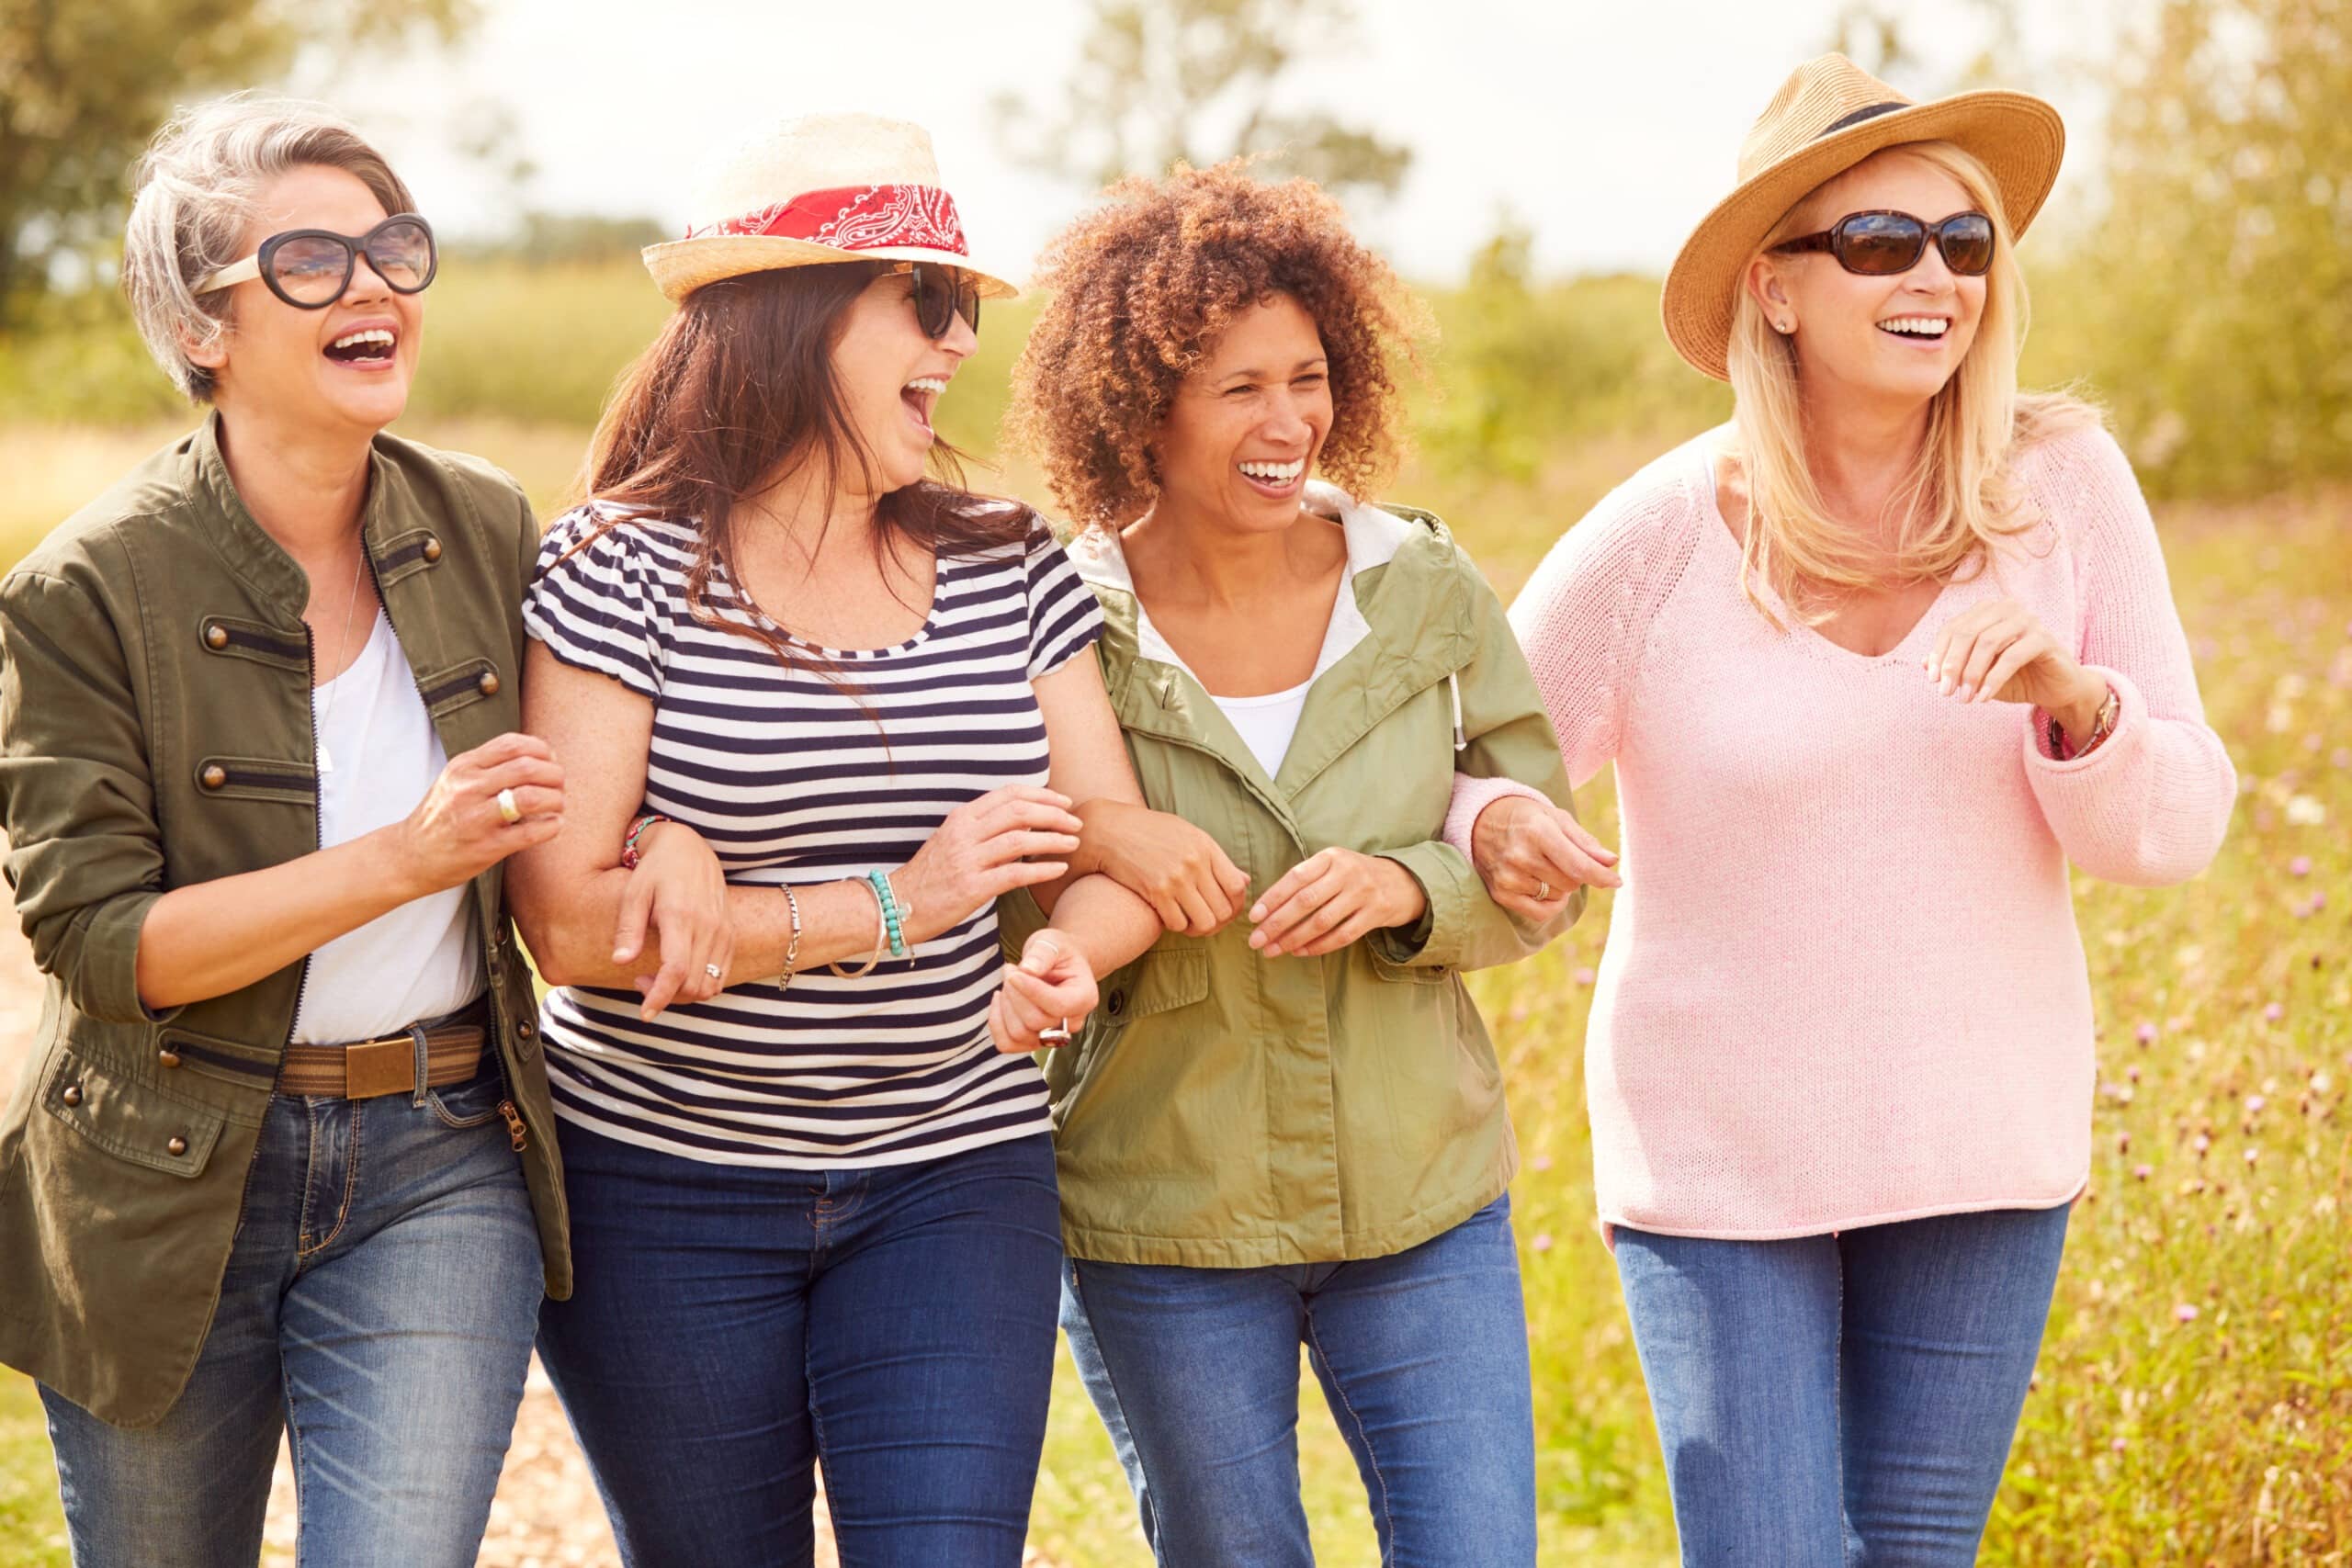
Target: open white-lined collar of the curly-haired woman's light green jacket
x,y
1410,629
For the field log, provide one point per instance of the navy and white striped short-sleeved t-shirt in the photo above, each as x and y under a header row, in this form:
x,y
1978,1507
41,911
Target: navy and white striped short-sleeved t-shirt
x,y
796,779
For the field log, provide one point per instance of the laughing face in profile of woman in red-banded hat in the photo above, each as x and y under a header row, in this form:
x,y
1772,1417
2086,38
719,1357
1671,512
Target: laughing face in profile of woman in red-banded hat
x,y
893,377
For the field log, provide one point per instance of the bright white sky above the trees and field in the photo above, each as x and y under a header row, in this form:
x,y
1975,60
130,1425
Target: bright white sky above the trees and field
x,y
1605,126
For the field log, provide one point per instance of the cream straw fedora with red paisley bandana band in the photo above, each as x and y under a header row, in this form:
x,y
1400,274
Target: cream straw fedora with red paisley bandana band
x,y
817,192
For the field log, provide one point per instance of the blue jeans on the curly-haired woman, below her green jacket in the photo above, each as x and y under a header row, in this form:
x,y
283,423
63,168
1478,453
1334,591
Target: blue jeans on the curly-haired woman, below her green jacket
x,y
1422,1358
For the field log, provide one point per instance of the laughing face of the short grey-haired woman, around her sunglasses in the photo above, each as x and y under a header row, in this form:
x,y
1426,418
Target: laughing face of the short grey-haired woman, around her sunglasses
x,y
347,366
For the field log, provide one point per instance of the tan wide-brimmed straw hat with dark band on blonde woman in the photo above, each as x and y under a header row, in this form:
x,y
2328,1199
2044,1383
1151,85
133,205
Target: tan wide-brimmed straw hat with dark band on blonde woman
x,y
1826,119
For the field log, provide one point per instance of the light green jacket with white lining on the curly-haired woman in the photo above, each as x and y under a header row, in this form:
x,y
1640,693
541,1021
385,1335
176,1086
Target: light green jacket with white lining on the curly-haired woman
x,y
1231,1111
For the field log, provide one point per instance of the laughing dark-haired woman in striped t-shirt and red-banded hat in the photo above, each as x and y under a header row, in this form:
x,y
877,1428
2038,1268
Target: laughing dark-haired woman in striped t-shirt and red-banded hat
x,y
815,1209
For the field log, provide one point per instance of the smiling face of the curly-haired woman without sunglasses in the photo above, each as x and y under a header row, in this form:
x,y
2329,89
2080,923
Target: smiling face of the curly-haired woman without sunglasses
x,y
1248,422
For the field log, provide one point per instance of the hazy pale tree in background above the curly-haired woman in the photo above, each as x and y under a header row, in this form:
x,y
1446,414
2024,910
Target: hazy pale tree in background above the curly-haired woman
x,y
1201,81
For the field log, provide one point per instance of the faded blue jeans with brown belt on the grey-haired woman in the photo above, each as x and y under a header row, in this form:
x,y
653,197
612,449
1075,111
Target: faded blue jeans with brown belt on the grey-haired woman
x,y
380,1308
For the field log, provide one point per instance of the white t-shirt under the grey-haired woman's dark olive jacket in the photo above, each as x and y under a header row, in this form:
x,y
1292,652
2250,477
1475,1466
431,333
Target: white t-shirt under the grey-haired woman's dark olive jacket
x,y
377,758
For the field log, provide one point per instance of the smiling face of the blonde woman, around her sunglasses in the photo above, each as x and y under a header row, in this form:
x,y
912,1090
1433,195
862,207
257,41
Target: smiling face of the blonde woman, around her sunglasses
x,y
1892,340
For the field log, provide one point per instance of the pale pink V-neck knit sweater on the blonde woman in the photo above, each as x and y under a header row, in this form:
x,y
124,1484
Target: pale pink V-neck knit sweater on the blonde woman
x,y
1843,979
